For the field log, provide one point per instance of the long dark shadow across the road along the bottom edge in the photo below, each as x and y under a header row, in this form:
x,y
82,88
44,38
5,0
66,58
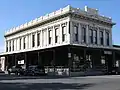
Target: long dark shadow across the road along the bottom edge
x,y
43,86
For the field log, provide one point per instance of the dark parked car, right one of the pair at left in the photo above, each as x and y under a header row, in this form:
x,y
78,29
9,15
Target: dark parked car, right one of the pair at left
x,y
35,70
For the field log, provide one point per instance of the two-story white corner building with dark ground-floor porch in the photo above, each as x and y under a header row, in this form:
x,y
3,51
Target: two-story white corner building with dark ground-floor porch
x,y
69,38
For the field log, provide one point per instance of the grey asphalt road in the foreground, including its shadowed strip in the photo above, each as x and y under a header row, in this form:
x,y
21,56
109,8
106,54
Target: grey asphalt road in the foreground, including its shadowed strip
x,y
58,83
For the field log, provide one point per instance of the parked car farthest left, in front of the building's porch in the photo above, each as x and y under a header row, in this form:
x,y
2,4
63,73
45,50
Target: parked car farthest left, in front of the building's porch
x,y
17,70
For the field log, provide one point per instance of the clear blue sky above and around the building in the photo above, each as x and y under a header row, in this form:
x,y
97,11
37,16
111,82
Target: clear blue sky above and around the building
x,y
17,12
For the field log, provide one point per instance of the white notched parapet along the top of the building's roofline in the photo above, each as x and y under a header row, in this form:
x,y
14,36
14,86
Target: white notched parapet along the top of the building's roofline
x,y
88,12
